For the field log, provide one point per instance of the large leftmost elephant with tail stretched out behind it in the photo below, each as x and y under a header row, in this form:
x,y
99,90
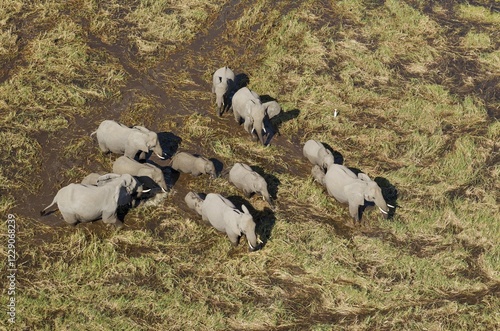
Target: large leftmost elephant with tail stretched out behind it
x,y
87,203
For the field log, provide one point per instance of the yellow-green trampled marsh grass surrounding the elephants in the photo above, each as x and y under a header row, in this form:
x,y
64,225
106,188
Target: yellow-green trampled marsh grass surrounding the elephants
x,y
403,116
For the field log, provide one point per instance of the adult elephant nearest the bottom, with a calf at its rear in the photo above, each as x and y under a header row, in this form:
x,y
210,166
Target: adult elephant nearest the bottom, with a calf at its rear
x,y
223,215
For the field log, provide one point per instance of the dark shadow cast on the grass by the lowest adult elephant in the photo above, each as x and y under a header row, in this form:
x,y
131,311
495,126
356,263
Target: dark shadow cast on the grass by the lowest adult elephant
x,y
264,219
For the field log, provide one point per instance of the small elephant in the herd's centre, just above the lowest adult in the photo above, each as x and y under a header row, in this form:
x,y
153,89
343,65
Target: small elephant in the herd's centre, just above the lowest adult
x,y
247,180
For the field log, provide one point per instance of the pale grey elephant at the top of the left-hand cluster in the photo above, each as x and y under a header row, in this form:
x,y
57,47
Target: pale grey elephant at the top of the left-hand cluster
x,y
118,138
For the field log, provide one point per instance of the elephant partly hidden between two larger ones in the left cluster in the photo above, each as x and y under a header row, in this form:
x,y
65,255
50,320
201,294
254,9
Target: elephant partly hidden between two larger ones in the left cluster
x,y
144,171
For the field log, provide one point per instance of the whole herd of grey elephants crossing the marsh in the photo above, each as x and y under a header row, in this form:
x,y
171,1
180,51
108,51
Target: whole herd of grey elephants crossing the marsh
x,y
99,196
